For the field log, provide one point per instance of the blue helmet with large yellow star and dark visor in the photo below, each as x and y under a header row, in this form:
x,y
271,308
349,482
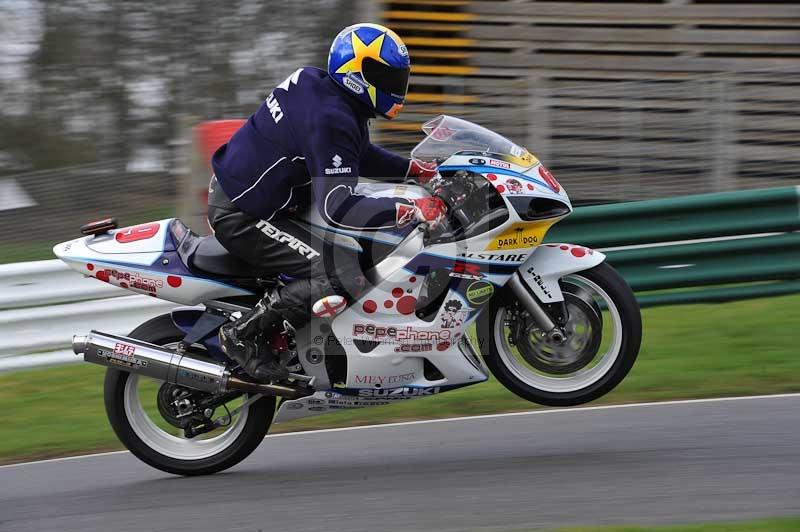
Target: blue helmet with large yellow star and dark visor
x,y
371,62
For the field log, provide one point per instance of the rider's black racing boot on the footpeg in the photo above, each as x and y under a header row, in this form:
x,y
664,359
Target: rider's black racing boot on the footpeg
x,y
246,341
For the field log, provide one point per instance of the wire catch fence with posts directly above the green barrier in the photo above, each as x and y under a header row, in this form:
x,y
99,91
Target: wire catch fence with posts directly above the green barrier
x,y
609,141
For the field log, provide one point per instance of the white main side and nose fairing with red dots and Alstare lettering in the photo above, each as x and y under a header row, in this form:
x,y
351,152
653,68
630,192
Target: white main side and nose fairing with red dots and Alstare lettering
x,y
387,343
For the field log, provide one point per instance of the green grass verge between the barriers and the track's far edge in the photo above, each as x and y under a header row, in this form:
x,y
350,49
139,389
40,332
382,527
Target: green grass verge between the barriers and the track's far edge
x,y
742,348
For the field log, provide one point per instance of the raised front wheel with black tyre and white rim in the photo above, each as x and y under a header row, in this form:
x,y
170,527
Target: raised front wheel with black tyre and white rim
x,y
603,338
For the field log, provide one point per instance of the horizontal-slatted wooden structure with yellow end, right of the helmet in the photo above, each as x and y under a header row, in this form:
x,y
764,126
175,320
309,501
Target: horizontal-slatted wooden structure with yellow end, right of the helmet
x,y
623,100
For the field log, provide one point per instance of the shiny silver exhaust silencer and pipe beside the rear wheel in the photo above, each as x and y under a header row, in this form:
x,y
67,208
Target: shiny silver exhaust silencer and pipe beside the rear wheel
x,y
171,366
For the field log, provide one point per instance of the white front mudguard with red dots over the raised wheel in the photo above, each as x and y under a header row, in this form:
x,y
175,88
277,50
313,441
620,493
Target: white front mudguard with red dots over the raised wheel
x,y
550,262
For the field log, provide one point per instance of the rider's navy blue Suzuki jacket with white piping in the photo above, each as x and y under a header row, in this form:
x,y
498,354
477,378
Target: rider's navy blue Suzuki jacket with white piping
x,y
309,133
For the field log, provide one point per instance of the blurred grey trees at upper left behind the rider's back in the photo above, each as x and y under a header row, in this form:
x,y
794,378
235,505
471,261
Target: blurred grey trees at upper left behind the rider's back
x,y
102,80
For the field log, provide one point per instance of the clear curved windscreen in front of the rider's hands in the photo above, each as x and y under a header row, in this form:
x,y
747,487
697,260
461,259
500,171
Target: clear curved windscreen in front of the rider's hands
x,y
446,135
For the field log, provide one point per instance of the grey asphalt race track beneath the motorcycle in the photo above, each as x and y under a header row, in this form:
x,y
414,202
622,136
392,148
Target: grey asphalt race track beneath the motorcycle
x,y
673,462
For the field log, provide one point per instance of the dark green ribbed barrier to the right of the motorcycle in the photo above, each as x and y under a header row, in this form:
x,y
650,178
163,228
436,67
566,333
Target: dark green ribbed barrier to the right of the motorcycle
x,y
660,261
